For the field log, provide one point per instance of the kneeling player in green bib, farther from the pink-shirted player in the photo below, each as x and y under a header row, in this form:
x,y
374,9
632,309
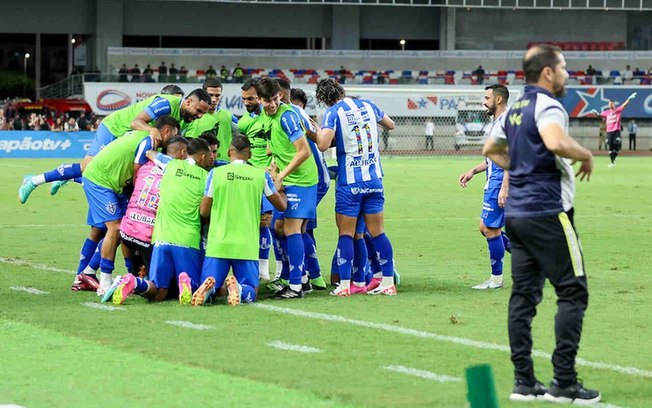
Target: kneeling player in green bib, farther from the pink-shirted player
x,y
232,201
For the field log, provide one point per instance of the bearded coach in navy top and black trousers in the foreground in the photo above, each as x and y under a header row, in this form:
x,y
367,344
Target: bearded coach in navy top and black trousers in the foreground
x,y
532,142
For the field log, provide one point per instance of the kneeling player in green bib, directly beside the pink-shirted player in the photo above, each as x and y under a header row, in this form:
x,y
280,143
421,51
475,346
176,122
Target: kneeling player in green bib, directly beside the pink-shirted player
x,y
177,232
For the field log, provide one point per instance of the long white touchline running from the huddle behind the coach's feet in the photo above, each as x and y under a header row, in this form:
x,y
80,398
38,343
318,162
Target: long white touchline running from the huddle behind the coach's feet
x,y
633,371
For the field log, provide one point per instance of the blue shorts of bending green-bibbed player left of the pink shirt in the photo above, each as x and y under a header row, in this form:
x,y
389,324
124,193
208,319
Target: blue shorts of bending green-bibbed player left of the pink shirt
x,y
104,204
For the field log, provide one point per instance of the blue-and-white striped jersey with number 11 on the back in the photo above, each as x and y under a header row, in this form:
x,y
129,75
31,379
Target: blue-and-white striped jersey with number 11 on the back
x,y
356,137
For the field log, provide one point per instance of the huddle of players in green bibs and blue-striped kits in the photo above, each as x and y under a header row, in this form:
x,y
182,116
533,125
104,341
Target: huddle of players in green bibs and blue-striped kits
x,y
186,210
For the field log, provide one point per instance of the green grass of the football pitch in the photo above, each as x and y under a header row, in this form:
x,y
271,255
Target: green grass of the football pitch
x,y
55,352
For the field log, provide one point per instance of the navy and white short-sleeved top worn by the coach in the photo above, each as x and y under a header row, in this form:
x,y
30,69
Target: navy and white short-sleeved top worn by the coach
x,y
540,182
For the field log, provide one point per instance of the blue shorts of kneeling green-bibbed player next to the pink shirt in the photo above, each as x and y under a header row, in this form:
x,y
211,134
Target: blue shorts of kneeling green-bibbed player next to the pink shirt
x,y
168,261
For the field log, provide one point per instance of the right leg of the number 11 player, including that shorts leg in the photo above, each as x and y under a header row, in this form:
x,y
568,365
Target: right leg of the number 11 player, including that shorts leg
x,y
372,207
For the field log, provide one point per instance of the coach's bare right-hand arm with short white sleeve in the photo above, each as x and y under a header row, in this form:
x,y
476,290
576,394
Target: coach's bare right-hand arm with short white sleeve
x,y
557,141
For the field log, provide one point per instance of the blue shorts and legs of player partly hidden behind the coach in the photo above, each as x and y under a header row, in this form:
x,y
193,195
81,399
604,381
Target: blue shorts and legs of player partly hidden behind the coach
x,y
492,221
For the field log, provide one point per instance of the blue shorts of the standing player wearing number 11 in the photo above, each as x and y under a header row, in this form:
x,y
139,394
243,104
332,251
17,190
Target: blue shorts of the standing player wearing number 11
x,y
364,197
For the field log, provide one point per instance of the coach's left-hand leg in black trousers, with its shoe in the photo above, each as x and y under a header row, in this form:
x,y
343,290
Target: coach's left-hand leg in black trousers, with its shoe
x,y
527,292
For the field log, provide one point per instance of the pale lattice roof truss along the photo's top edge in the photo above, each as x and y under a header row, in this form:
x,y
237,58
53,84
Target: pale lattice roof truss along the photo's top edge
x,y
615,5
